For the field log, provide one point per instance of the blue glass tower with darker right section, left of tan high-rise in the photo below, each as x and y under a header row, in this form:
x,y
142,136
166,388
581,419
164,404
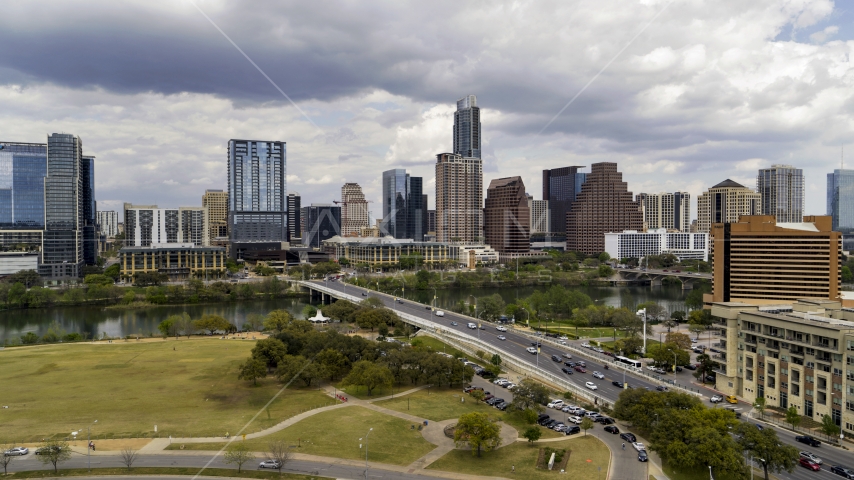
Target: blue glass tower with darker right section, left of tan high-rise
x,y
403,210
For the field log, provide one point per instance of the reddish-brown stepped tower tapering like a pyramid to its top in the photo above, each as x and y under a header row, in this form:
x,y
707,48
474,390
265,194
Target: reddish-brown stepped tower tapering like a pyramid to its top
x,y
604,205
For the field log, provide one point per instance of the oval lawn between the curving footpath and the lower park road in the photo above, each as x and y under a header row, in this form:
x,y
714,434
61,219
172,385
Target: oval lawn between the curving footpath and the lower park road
x,y
336,433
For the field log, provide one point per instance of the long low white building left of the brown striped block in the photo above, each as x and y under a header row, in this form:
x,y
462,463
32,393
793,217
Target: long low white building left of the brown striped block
x,y
634,244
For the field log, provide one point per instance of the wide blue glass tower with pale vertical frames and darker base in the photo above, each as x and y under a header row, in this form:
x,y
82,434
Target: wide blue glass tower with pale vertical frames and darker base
x,y
257,191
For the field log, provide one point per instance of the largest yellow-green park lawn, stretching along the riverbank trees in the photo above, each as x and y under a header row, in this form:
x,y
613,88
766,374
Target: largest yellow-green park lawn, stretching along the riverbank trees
x,y
186,387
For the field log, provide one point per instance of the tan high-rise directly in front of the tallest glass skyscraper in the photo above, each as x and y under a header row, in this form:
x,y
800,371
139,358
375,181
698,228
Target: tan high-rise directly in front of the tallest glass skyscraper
x,y
459,198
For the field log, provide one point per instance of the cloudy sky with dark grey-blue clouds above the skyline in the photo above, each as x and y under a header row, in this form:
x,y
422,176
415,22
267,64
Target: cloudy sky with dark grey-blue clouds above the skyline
x,y
681,94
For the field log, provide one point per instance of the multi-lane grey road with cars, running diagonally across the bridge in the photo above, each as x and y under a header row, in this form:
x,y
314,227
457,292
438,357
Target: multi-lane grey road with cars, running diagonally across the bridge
x,y
516,343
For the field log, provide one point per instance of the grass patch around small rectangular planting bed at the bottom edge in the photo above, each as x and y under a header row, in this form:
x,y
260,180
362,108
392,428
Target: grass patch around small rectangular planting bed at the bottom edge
x,y
523,456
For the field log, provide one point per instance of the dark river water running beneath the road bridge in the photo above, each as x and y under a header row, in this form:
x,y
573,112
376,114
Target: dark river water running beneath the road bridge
x,y
117,322
